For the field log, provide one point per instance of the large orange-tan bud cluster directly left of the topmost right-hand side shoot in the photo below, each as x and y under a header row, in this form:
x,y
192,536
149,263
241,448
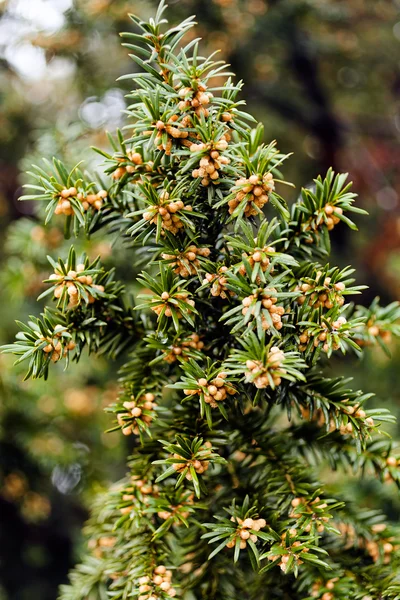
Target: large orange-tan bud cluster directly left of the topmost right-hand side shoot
x,y
257,188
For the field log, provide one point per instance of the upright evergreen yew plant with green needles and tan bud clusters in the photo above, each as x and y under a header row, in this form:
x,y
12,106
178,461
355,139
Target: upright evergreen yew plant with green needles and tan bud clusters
x,y
225,385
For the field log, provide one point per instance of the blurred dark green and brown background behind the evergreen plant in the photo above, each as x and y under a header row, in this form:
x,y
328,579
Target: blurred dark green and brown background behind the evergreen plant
x,y
324,77
